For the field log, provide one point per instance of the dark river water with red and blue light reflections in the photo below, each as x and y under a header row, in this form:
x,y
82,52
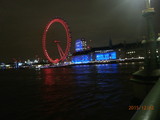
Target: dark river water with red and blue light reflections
x,y
82,92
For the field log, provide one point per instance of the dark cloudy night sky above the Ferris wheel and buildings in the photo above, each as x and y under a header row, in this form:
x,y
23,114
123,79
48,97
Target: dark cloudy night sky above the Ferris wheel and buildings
x,y
22,23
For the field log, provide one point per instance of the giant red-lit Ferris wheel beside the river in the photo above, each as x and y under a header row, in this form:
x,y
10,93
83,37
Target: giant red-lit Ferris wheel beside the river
x,y
62,53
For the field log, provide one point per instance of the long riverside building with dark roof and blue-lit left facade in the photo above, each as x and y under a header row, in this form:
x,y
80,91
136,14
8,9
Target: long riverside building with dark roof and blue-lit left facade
x,y
121,52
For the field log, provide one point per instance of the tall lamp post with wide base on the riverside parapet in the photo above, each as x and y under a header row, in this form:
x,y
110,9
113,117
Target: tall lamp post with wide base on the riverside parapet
x,y
151,71
